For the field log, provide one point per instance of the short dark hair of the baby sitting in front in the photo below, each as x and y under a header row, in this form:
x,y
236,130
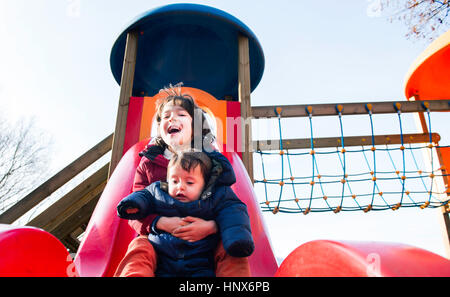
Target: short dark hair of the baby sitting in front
x,y
189,160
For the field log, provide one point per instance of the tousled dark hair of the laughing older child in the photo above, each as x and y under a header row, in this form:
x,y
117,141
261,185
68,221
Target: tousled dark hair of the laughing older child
x,y
185,101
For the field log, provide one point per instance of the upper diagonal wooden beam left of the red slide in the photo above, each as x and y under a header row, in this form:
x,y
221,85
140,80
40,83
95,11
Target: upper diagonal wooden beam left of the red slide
x,y
55,182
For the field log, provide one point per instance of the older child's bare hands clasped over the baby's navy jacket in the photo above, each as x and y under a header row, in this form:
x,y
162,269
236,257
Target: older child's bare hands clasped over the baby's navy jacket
x,y
194,229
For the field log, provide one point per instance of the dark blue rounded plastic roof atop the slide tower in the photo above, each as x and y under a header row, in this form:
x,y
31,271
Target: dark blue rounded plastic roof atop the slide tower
x,y
189,43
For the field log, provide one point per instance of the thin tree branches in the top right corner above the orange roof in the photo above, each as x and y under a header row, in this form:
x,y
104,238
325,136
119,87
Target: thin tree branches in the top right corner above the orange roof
x,y
424,18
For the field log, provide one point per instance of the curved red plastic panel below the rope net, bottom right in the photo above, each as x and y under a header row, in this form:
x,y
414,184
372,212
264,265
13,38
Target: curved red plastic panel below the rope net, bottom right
x,y
332,258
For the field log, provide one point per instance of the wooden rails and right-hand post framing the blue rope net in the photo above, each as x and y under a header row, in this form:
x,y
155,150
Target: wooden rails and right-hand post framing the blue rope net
x,y
362,108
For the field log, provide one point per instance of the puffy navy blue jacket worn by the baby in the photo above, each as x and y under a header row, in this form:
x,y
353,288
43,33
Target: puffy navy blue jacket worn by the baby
x,y
177,257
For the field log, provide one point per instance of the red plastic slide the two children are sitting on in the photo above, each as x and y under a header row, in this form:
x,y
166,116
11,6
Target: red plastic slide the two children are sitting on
x,y
107,237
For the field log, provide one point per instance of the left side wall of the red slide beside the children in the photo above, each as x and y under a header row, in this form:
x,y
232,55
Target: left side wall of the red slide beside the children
x,y
107,236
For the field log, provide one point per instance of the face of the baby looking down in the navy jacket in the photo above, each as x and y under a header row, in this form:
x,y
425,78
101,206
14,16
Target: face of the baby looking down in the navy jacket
x,y
185,186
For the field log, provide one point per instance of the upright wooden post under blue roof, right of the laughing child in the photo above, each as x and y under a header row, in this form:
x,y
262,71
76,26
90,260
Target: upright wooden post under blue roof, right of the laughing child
x,y
244,98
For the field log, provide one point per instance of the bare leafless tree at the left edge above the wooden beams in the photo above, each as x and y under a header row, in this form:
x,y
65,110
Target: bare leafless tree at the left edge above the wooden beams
x,y
23,160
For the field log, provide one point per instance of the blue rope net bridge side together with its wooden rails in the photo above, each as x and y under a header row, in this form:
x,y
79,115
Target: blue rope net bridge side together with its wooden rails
x,y
374,150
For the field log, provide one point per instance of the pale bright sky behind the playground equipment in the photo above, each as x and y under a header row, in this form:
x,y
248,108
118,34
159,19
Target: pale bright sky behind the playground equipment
x,y
54,67
